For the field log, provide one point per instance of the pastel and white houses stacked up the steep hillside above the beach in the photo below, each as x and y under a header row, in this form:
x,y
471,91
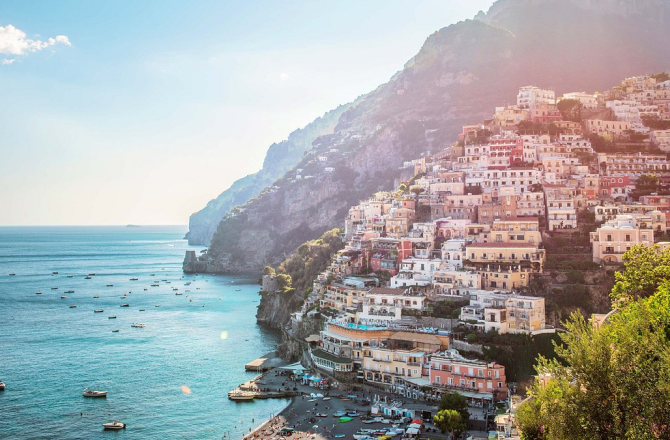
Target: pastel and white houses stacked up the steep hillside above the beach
x,y
470,227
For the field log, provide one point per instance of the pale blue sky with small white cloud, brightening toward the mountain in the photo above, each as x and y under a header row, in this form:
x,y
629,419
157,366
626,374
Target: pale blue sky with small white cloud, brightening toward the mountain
x,y
119,112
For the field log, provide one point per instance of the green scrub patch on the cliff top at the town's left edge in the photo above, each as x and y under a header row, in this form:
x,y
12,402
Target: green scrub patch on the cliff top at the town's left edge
x,y
311,258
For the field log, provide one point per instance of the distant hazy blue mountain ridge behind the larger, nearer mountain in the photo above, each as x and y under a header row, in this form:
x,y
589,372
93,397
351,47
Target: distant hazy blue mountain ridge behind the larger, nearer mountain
x,y
280,158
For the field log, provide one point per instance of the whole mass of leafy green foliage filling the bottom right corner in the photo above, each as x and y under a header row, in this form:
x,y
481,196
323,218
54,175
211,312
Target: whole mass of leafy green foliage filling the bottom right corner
x,y
610,381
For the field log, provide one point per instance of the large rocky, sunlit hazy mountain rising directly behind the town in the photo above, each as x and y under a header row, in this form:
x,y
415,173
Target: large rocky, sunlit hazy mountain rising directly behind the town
x,y
460,74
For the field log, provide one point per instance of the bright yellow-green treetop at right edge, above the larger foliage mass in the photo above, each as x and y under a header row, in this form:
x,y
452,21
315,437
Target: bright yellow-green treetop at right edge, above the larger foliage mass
x,y
646,268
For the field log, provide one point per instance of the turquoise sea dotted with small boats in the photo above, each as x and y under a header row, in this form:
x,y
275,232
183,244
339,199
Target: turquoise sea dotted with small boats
x,y
169,380
